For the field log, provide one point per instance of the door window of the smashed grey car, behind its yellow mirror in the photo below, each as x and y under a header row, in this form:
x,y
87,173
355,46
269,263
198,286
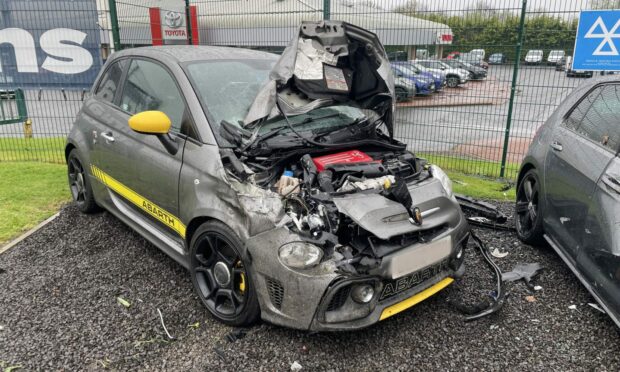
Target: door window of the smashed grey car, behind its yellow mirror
x,y
149,86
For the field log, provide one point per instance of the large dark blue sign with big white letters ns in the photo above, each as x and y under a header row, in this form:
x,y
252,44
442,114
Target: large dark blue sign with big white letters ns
x,y
49,44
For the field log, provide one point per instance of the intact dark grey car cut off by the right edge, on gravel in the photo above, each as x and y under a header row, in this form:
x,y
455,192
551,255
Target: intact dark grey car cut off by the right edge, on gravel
x,y
568,191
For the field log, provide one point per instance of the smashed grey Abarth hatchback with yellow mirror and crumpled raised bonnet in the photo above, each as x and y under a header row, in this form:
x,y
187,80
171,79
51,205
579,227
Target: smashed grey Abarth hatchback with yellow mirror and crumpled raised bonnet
x,y
275,180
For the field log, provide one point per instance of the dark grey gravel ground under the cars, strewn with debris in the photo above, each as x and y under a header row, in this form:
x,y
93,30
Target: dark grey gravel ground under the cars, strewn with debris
x,y
59,311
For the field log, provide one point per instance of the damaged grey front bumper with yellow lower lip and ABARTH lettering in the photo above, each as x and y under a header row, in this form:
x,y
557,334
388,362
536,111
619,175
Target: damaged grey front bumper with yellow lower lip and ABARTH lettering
x,y
319,299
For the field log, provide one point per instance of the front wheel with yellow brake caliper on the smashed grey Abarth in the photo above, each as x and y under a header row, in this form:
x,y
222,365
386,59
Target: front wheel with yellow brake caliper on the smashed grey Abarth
x,y
220,276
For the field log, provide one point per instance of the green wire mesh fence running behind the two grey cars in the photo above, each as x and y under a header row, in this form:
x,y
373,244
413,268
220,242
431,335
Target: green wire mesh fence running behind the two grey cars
x,y
485,74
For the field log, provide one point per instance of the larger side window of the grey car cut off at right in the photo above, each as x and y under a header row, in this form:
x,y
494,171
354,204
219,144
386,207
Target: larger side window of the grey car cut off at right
x,y
601,123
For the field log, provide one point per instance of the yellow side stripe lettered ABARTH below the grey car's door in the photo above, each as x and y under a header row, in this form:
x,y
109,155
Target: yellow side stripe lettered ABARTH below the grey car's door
x,y
146,205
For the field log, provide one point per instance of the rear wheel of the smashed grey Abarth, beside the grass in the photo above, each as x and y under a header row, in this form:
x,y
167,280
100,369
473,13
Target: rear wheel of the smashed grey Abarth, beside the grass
x,y
79,184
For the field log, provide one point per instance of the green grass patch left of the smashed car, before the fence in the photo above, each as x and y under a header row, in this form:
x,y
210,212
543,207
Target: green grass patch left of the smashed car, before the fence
x,y
29,193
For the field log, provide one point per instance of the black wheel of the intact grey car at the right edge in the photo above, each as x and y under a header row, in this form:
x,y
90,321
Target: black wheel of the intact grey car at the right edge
x,y
528,209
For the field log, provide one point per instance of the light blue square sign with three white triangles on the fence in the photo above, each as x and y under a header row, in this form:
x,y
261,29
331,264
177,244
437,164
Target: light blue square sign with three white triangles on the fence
x,y
596,47
